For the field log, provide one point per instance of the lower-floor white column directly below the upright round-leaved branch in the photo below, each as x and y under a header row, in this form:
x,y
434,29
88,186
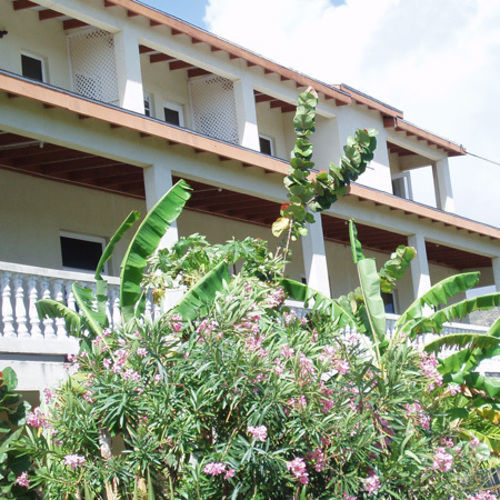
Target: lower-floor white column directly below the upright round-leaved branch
x,y
315,265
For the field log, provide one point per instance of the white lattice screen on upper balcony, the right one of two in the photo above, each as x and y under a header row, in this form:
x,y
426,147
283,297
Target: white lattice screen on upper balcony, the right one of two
x,y
214,107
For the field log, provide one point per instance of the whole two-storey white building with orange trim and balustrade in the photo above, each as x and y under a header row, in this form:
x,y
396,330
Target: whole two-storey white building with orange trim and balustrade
x,y
104,103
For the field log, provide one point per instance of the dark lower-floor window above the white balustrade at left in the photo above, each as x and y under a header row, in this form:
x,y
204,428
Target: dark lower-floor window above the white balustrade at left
x,y
81,252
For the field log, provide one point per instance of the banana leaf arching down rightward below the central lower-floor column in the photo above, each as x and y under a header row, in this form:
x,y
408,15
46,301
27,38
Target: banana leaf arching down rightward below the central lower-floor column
x,y
322,303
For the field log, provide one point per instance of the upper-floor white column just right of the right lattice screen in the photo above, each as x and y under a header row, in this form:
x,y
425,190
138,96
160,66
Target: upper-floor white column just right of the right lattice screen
x,y
246,114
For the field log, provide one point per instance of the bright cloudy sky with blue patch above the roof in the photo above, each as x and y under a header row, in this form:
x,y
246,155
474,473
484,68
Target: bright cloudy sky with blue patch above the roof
x,y
439,62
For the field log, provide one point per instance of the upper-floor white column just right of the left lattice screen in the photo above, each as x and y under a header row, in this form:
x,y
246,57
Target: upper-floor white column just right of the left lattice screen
x,y
128,69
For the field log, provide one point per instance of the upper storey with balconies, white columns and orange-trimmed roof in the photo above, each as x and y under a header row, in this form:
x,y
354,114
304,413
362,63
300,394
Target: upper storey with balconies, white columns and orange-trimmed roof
x,y
171,71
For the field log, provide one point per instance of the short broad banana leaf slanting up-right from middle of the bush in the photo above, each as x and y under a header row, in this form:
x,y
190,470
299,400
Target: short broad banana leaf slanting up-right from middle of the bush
x,y
196,301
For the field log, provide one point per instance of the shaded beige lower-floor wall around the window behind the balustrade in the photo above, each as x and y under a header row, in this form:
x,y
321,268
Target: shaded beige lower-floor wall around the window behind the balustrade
x,y
33,212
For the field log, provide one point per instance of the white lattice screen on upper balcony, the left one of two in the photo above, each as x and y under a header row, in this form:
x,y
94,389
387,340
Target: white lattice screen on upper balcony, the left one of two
x,y
93,65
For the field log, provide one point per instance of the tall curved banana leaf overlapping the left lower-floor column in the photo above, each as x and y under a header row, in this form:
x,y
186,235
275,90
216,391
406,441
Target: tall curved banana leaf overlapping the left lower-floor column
x,y
144,244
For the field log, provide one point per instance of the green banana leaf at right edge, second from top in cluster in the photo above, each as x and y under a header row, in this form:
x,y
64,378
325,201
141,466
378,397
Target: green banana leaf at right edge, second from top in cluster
x,y
434,322
